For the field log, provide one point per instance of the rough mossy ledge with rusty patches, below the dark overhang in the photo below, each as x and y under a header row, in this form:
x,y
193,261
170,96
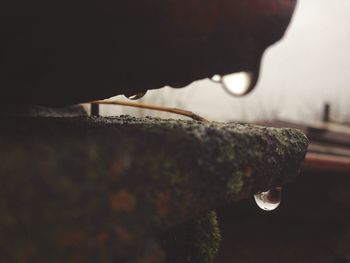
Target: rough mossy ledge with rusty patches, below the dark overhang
x,y
104,189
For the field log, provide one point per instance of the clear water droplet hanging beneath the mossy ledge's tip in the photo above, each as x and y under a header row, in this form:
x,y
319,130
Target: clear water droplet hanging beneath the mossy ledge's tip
x,y
269,200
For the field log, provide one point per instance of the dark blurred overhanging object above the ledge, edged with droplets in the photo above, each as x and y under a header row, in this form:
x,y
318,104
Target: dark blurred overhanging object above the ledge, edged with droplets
x,y
74,51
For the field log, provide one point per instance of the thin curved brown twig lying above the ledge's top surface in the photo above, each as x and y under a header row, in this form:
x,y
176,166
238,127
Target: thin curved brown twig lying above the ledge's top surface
x,y
186,113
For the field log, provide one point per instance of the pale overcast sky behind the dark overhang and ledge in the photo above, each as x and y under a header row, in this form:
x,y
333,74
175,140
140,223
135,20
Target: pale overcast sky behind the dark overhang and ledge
x,y
309,67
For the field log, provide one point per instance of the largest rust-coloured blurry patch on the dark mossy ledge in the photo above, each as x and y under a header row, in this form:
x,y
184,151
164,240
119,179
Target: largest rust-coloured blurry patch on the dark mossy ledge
x,y
122,201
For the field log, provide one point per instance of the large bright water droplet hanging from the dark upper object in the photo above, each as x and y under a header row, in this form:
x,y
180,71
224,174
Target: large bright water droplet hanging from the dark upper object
x,y
239,84
